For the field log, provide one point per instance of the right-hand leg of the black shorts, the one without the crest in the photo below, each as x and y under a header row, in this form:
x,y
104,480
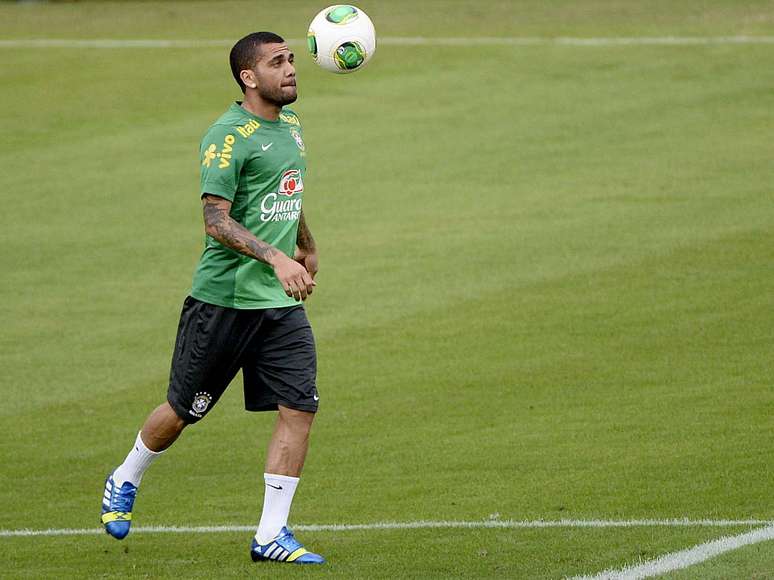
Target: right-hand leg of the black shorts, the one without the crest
x,y
280,366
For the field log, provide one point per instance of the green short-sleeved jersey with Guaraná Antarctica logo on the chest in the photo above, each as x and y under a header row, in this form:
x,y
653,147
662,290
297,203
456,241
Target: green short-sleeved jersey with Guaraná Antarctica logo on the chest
x,y
259,166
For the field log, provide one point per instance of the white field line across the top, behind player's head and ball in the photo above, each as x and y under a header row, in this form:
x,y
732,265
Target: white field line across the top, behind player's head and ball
x,y
402,41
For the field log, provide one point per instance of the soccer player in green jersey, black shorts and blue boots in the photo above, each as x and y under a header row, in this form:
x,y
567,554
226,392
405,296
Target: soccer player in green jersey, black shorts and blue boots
x,y
245,310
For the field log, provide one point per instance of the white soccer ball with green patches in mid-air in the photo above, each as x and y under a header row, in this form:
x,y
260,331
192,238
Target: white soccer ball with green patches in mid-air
x,y
341,38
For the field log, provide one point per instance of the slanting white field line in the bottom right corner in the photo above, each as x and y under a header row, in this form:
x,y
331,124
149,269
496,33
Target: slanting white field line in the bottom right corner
x,y
684,558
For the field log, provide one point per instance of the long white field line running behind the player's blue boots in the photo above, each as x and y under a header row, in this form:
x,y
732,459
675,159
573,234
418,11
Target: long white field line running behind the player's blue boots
x,y
498,524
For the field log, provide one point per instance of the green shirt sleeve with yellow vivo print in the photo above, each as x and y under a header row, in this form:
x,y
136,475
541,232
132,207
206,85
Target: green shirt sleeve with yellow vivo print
x,y
222,159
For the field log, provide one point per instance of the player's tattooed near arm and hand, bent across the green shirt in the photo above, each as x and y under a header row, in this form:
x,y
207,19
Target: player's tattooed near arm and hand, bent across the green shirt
x,y
294,278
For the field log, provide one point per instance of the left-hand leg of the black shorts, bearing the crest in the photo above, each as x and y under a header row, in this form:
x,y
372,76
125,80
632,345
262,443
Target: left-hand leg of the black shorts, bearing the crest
x,y
210,341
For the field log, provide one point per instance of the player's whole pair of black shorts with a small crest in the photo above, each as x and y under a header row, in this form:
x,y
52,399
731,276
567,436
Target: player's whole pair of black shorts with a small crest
x,y
274,347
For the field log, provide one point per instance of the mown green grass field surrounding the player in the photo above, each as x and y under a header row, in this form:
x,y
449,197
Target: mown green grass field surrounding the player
x,y
546,288
